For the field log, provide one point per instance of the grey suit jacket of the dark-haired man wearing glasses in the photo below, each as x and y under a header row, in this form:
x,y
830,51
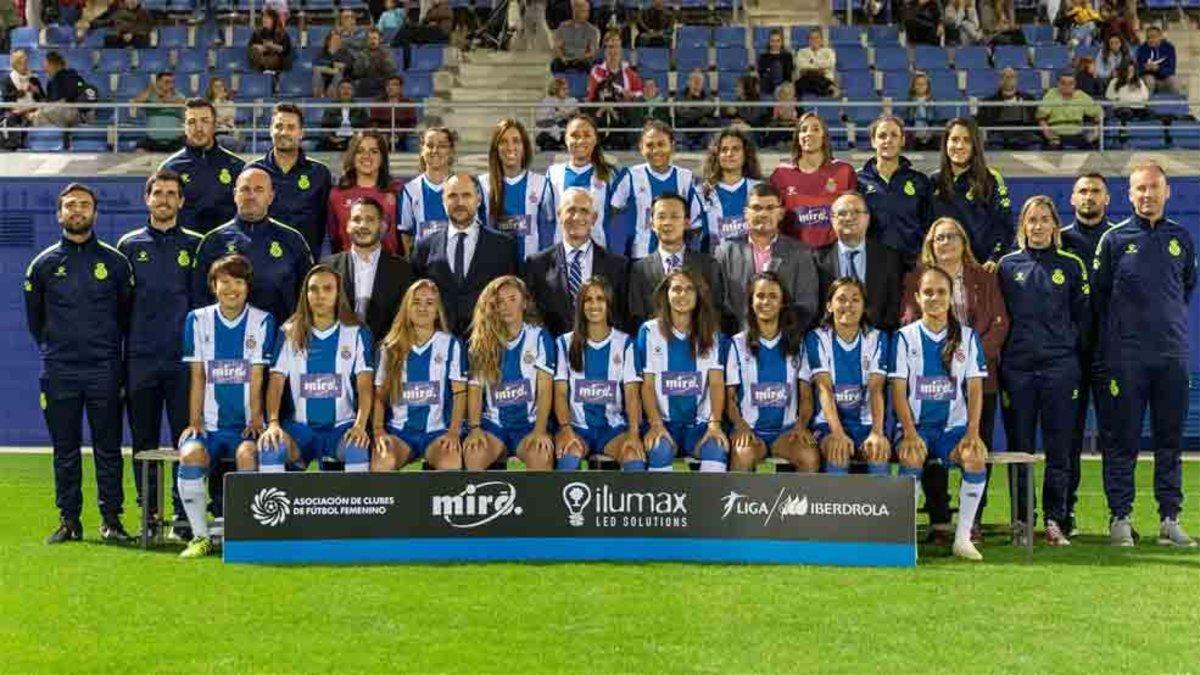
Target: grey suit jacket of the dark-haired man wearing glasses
x,y
790,259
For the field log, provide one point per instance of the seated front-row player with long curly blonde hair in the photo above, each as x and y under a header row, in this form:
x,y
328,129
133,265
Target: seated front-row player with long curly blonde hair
x,y
512,381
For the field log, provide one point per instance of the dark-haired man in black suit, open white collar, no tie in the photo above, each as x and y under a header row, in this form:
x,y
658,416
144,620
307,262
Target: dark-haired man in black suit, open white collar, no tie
x,y
374,282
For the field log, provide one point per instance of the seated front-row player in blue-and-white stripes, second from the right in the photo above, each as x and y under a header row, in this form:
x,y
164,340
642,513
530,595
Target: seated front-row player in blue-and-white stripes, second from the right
x,y
847,360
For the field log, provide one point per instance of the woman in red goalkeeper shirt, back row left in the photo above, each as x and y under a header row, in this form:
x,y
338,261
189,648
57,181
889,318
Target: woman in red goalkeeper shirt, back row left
x,y
365,175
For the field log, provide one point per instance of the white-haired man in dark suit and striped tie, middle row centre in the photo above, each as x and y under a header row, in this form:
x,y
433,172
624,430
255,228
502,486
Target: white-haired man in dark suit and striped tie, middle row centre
x,y
556,274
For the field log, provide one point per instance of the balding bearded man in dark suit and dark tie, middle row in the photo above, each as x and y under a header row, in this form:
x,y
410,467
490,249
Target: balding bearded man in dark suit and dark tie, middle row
x,y
464,258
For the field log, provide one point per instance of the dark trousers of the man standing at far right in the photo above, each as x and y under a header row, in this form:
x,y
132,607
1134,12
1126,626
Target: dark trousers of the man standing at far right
x,y
1162,385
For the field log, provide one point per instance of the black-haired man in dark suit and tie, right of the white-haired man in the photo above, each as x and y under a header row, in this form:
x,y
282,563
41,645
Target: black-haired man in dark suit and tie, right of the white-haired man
x,y
669,218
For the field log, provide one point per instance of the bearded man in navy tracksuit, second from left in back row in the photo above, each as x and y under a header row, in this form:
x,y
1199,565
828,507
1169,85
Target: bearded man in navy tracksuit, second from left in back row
x,y
302,184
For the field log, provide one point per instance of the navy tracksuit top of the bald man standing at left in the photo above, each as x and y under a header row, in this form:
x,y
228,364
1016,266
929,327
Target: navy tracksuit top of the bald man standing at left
x,y
279,255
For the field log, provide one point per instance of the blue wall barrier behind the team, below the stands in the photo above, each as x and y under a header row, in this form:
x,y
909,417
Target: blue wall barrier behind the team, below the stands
x,y
28,225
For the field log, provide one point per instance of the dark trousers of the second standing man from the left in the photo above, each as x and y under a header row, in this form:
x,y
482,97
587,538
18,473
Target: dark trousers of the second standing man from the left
x,y
152,387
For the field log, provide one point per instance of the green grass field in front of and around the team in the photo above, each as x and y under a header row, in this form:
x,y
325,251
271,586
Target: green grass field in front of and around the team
x,y
1087,610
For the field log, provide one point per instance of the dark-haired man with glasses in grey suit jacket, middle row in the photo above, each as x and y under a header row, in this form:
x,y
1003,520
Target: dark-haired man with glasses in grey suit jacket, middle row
x,y
766,250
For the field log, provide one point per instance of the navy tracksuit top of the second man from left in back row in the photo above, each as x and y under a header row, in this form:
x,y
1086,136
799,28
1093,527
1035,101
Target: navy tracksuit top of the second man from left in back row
x,y
302,196
